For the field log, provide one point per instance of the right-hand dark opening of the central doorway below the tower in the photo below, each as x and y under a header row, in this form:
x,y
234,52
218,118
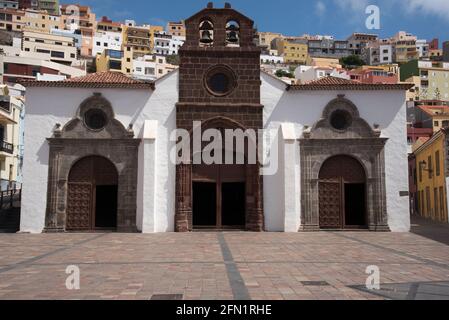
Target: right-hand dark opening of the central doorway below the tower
x,y
233,204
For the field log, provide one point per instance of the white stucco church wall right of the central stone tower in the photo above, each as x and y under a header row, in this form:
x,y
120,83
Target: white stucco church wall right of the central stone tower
x,y
301,108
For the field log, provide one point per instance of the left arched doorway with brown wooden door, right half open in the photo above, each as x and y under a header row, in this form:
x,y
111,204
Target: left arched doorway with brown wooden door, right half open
x,y
92,195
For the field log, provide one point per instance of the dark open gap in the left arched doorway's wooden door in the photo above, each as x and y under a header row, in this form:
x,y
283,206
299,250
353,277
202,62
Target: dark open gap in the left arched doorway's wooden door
x,y
106,207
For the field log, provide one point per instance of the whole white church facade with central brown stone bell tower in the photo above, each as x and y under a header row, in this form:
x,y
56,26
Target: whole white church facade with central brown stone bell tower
x,y
99,149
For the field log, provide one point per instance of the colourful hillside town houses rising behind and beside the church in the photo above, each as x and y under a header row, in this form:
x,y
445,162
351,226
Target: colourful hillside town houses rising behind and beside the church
x,y
52,41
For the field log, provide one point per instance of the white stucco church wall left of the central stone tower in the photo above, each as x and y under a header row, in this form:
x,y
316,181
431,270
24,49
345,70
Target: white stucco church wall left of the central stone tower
x,y
130,106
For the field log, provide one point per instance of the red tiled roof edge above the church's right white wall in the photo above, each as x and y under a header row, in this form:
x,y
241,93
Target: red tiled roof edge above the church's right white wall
x,y
334,83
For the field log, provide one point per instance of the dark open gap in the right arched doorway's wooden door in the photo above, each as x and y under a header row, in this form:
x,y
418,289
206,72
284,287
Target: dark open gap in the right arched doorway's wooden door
x,y
355,204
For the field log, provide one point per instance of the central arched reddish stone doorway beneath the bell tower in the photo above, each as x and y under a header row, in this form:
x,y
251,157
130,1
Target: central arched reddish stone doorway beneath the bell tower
x,y
230,195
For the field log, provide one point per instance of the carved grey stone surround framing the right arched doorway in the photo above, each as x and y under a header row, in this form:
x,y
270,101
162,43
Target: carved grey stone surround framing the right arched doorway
x,y
357,140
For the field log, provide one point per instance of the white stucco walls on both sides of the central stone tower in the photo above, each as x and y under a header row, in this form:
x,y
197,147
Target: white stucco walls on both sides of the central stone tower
x,y
157,175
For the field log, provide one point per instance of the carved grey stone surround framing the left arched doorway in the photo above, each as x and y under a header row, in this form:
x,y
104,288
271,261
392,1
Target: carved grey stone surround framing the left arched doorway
x,y
76,141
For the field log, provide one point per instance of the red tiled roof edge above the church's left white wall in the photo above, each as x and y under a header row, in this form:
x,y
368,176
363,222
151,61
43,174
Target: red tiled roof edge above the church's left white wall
x,y
94,80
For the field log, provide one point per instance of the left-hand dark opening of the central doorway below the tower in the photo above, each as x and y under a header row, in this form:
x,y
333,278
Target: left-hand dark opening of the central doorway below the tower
x,y
204,204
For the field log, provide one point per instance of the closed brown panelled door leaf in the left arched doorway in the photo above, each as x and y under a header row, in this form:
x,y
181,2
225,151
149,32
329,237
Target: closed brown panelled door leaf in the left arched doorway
x,y
79,207
